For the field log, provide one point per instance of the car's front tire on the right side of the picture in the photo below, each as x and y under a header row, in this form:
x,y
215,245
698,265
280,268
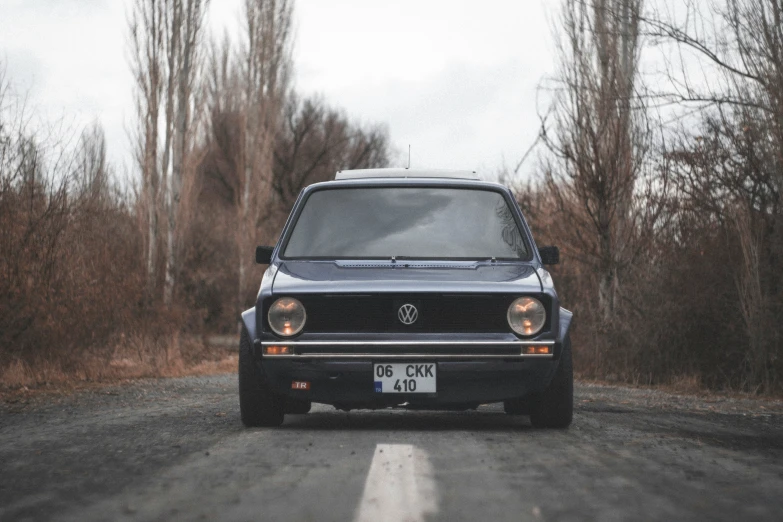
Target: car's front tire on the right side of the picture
x,y
555,407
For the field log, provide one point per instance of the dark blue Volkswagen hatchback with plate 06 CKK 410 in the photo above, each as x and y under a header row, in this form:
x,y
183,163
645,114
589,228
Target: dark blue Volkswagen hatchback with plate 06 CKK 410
x,y
395,287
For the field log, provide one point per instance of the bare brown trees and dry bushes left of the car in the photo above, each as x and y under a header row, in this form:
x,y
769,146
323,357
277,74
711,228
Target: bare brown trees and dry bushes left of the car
x,y
93,270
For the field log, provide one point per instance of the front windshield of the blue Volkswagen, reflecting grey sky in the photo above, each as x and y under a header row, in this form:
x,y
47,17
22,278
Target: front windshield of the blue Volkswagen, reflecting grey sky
x,y
406,222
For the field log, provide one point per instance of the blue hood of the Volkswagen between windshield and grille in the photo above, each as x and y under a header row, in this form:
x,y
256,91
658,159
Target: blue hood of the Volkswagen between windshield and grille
x,y
307,277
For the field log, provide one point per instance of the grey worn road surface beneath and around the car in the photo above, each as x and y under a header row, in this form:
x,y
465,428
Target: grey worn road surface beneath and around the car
x,y
174,449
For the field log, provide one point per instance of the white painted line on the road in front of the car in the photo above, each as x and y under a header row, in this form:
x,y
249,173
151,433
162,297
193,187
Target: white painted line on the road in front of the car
x,y
399,486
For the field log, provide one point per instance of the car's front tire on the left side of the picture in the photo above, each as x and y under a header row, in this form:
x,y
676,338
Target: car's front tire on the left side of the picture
x,y
258,405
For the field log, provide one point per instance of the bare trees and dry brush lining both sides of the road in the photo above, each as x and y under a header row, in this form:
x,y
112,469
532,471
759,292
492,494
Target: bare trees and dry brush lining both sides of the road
x,y
665,199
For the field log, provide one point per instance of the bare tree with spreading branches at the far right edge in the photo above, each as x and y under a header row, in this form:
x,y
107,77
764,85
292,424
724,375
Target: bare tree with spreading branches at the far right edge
x,y
735,173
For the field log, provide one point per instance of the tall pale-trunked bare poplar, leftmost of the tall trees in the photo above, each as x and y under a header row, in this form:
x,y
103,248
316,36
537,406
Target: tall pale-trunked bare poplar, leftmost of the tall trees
x,y
166,39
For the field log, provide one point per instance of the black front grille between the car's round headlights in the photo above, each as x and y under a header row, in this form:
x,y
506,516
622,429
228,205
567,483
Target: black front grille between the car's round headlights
x,y
436,313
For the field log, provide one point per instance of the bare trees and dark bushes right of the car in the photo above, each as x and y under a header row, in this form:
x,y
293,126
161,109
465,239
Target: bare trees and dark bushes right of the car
x,y
665,194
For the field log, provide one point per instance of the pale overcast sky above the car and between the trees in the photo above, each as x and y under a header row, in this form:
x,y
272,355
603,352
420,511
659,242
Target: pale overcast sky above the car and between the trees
x,y
454,79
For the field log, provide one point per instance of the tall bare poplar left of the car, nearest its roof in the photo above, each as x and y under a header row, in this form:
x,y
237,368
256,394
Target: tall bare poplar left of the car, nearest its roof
x,y
246,93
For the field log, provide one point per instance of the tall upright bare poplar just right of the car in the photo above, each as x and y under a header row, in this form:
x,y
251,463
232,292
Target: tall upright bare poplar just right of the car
x,y
601,139
